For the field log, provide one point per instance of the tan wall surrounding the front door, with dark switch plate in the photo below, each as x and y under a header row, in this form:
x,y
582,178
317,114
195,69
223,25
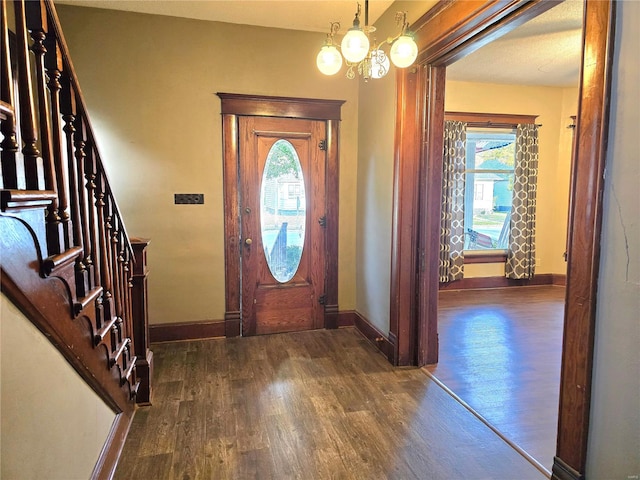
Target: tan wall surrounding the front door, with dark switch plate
x,y
150,83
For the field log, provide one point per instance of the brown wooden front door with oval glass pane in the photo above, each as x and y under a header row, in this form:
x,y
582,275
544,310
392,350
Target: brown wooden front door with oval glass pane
x,y
282,221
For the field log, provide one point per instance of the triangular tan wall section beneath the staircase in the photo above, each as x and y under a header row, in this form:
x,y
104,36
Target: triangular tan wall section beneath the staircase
x,y
53,425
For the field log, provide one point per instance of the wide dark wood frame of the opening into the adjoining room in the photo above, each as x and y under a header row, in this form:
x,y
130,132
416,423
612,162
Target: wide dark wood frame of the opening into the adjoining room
x,y
446,33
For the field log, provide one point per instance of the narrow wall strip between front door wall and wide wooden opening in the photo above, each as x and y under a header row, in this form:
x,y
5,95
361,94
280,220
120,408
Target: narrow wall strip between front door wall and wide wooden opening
x,y
375,181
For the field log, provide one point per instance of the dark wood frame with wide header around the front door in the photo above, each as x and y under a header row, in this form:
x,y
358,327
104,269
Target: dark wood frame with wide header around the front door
x,y
234,106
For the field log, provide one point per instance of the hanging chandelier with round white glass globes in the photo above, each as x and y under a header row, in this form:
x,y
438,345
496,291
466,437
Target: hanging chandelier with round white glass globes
x,y
360,52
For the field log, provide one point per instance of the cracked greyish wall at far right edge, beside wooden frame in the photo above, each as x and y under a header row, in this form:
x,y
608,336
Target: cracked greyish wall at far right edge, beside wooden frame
x,y
614,430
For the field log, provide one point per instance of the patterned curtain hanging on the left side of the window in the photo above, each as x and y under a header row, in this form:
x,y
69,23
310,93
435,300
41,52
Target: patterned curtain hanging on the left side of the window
x,y
452,219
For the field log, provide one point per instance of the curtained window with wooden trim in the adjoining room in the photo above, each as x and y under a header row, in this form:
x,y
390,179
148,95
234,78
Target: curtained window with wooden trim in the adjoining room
x,y
478,188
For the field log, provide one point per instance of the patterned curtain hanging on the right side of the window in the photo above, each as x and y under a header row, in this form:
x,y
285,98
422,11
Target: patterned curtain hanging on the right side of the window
x,y
521,256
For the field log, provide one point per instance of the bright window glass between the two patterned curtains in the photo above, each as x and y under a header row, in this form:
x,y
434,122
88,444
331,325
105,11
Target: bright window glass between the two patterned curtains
x,y
488,188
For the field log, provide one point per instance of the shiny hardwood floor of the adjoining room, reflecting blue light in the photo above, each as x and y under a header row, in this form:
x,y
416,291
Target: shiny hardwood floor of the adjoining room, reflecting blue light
x,y
500,353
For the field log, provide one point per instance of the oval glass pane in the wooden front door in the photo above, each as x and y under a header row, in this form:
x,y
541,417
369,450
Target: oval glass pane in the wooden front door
x,y
283,210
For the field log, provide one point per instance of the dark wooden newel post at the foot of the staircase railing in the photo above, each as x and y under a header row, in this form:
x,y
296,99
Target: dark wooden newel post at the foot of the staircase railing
x,y
144,365
